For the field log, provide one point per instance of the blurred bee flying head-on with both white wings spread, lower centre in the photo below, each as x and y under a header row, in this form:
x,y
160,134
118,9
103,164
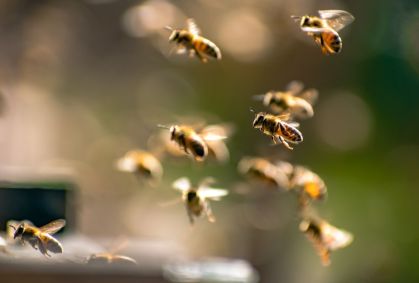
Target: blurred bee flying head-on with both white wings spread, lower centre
x,y
196,198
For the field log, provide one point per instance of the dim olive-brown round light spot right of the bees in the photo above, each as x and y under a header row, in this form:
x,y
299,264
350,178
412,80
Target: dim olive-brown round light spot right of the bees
x,y
344,121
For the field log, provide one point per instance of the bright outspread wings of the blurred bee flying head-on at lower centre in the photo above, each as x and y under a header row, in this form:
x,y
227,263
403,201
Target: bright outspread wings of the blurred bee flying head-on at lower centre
x,y
204,191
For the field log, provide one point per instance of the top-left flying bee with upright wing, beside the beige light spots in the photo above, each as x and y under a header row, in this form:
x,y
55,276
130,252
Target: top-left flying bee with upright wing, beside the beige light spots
x,y
190,40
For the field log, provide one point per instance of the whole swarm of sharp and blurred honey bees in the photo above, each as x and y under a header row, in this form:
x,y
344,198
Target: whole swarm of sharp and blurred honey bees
x,y
203,142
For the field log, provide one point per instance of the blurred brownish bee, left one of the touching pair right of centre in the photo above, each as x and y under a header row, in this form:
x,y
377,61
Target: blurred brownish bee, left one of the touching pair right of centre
x,y
263,170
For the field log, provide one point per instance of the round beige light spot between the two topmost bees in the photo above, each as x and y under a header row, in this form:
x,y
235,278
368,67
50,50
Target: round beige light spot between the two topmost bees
x,y
243,35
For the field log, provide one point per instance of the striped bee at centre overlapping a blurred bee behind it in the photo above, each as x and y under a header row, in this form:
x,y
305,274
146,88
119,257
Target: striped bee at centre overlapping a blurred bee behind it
x,y
198,144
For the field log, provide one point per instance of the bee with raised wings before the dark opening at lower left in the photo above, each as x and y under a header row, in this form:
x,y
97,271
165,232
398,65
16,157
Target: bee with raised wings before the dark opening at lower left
x,y
40,238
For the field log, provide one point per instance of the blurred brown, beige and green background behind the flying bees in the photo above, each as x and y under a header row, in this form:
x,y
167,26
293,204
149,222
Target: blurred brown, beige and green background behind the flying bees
x,y
82,82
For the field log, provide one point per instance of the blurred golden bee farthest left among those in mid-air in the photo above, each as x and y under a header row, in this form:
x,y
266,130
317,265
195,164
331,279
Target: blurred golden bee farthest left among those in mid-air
x,y
141,163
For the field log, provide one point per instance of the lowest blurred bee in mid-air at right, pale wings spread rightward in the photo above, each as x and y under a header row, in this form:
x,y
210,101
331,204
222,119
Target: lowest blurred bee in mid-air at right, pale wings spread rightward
x,y
325,237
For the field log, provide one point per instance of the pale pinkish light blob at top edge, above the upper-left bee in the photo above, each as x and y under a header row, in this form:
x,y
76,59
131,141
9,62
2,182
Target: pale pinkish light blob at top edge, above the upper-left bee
x,y
149,17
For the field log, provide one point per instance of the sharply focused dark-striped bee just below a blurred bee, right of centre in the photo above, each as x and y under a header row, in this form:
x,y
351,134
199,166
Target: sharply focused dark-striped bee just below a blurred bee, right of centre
x,y
278,129
